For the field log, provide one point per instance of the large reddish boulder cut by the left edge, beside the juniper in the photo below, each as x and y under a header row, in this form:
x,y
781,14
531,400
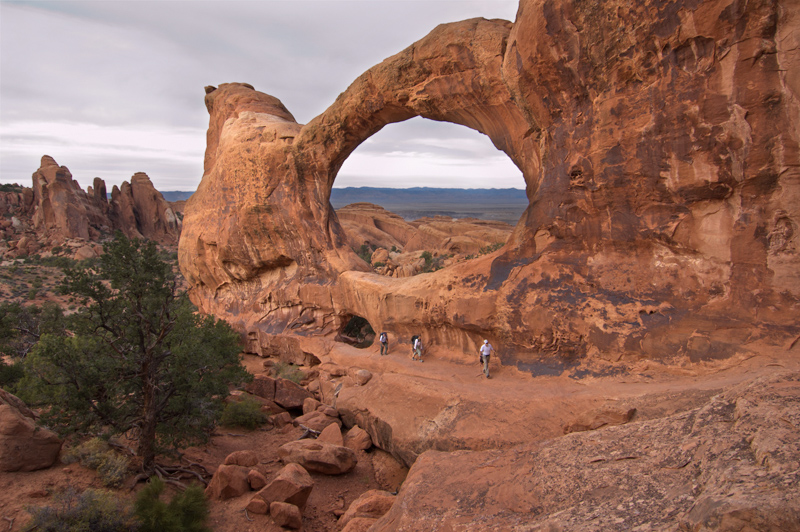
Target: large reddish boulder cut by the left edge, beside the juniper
x,y
23,445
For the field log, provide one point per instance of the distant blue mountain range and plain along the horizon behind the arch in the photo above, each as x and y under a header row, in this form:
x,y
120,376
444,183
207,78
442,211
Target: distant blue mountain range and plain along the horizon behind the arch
x,y
503,204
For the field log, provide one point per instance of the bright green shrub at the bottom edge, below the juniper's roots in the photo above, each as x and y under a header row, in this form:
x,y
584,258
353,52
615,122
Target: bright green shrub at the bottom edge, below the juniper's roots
x,y
186,512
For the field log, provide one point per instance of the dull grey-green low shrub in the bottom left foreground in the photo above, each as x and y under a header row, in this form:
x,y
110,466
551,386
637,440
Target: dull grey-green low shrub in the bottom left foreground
x,y
90,511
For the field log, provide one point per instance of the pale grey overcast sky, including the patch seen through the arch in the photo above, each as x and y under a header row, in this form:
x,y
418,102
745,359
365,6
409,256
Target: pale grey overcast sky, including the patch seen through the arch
x,y
111,88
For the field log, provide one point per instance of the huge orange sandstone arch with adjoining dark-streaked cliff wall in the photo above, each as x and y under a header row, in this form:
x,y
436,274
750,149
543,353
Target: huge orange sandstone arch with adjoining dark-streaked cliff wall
x,y
659,146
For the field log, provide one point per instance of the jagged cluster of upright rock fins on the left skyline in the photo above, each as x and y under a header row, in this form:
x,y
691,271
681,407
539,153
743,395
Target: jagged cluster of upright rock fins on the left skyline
x,y
61,209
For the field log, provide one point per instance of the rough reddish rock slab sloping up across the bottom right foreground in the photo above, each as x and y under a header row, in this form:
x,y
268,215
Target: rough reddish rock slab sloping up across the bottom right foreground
x,y
727,466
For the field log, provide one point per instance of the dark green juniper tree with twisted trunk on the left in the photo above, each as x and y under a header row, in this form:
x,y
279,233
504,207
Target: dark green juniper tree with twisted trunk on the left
x,y
139,360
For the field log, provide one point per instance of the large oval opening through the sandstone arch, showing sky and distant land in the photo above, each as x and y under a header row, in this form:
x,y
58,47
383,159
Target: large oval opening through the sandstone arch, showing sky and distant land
x,y
458,196
